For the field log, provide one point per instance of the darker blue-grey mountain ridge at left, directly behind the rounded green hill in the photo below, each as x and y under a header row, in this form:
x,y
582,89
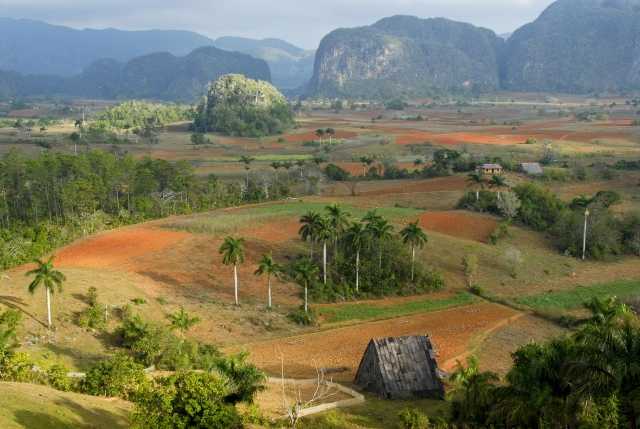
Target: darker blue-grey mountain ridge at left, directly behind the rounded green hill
x,y
160,76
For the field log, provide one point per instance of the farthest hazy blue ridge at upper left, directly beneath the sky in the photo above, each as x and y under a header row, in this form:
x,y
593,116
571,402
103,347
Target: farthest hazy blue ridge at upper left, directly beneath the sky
x,y
34,47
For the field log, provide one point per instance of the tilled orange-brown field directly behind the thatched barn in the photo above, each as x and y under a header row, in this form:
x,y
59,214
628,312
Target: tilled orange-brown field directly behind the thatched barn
x,y
452,332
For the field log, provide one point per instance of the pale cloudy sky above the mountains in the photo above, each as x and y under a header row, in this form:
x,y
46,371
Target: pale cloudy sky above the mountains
x,y
302,22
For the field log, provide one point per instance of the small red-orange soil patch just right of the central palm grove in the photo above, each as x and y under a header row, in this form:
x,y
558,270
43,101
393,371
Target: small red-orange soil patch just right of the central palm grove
x,y
464,225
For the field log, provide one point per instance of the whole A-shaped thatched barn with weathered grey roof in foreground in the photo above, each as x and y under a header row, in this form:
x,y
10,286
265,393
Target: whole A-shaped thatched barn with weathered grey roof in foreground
x,y
400,368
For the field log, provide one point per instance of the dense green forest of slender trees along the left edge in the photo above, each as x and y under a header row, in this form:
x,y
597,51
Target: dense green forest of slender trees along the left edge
x,y
52,199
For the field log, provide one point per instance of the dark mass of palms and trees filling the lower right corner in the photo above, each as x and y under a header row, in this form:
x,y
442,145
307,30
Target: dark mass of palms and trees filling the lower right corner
x,y
589,379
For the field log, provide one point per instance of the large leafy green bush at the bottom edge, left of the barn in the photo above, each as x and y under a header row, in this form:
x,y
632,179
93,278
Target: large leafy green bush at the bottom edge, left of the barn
x,y
187,400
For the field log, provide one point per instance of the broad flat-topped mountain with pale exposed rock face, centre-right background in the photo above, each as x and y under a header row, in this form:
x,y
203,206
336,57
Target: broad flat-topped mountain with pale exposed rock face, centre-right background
x,y
406,55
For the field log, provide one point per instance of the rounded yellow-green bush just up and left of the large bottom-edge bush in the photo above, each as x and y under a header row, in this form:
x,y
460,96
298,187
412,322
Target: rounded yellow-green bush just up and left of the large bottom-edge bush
x,y
119,376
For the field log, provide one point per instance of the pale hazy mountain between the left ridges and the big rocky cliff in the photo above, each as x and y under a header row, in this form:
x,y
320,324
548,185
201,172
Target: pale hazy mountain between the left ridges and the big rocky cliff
x,y
291,66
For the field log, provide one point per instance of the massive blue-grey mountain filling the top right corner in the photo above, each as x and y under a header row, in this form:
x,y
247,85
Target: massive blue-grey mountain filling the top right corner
x,y
576,46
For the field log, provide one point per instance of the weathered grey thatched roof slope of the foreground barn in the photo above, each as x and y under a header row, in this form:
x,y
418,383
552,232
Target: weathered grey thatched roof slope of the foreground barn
x,y
407,364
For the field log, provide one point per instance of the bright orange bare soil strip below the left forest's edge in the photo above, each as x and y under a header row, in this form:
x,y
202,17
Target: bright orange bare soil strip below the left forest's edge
x,y
115,248
